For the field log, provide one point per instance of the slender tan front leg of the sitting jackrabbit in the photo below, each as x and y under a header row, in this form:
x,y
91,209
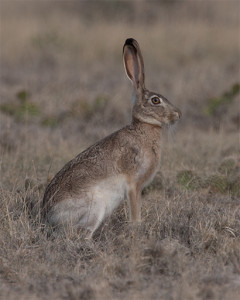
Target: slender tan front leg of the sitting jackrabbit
x,y
134,202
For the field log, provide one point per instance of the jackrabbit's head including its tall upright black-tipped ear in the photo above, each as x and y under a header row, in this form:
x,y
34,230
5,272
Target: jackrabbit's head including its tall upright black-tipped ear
x,y
148,107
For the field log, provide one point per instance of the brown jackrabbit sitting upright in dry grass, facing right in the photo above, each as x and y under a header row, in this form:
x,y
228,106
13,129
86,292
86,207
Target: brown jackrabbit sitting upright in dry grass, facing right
x,y
90,186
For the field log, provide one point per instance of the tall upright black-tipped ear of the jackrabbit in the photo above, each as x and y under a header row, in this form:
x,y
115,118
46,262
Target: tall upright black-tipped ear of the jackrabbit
x,y
133,62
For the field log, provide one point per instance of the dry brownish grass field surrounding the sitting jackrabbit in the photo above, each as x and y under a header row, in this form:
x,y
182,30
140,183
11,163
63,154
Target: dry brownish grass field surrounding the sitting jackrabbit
x,y
67,57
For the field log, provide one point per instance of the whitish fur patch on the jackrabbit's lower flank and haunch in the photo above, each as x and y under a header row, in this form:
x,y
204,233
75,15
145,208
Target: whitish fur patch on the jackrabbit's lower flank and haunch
x,y
91,208
